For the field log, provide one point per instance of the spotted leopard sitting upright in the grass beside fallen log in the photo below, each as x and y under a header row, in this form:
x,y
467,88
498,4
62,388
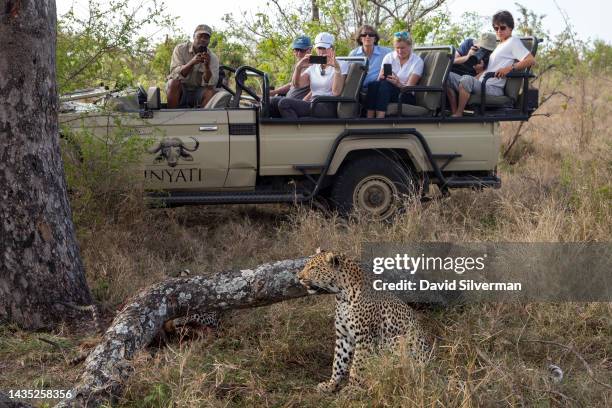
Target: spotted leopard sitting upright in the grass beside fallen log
x,y
366,321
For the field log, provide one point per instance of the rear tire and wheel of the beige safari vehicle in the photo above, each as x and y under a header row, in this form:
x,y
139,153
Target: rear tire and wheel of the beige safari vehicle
x,y
374,184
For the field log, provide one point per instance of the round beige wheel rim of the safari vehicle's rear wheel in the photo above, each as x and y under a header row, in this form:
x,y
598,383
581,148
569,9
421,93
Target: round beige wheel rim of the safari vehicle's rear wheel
x,y
376,195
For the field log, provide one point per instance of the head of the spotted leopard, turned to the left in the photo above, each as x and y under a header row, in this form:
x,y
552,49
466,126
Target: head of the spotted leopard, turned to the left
x,y
322,274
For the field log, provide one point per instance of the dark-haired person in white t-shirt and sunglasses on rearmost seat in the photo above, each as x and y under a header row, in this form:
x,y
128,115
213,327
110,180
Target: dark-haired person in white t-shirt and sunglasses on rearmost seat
x,y
510,54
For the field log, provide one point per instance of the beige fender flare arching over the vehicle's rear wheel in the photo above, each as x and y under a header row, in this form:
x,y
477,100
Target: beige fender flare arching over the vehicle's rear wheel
x,y
410,145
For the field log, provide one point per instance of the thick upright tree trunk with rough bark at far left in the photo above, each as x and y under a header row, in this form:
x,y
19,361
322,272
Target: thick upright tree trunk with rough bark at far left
x,y
40,263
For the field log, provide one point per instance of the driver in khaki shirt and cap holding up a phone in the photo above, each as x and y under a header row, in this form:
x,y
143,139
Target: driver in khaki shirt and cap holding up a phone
x,y
194,72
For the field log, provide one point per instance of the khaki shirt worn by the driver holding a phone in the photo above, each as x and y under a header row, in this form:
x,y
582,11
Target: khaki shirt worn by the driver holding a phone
x,y
182,54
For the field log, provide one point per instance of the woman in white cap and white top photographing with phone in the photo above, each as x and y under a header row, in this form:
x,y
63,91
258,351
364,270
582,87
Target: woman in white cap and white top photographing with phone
x,y
323,79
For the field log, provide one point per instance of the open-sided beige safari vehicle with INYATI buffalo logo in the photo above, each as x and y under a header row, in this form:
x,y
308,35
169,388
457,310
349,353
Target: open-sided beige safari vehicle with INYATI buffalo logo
x,y
231,151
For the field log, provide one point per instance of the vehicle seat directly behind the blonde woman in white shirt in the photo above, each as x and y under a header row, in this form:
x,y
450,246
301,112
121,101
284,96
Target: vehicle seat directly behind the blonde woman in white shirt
x,y
436,64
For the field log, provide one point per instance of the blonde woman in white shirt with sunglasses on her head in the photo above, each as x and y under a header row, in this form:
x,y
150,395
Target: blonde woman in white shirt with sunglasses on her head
x,y
407,69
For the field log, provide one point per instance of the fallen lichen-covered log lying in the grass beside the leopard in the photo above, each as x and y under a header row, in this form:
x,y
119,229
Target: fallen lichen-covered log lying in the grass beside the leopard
x,y
108,366
